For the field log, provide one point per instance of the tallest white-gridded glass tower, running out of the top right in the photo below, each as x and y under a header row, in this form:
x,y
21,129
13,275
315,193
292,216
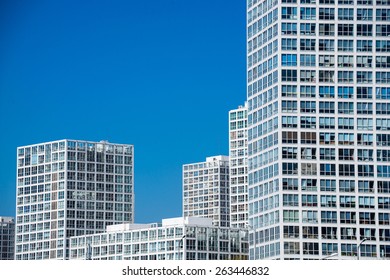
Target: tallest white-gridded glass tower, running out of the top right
x,y
318,128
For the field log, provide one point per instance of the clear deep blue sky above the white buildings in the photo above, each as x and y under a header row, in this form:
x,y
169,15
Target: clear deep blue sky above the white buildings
x,y
159,74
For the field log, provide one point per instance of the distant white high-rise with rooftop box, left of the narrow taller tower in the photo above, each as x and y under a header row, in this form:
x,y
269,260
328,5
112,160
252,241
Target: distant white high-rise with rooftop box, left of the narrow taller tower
x,y
206,190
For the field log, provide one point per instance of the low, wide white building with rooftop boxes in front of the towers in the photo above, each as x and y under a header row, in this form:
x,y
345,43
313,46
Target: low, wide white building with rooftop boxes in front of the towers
x,y
189,238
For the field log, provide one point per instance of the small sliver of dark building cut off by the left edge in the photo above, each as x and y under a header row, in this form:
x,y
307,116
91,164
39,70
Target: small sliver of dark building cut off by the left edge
x,y
7,238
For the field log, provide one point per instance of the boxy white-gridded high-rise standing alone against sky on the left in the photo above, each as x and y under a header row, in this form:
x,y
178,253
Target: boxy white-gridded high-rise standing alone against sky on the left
x,y
69,188
